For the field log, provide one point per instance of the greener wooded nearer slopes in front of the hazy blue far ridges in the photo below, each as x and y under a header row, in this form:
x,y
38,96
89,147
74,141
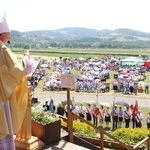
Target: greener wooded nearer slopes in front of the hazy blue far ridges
x,y
39,40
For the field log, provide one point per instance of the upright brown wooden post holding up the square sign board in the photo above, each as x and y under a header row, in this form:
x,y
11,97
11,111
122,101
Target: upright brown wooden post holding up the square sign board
x,y
70,120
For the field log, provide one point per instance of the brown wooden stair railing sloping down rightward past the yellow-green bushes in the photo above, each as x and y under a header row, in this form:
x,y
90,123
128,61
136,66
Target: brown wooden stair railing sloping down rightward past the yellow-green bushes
x,y
102,133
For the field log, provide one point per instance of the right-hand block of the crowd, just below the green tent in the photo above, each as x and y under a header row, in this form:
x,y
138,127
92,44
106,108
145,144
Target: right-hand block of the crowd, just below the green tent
x,y
131,80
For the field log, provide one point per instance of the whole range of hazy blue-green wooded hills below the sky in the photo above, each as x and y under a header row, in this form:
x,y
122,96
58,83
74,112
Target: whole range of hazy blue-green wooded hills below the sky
x,y
81,37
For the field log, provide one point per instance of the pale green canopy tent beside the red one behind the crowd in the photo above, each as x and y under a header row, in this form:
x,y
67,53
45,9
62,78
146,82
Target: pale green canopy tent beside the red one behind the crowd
x,y
132,61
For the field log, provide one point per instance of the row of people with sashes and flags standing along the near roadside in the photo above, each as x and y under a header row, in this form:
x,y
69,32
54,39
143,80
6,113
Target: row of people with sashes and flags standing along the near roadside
x,y
103,116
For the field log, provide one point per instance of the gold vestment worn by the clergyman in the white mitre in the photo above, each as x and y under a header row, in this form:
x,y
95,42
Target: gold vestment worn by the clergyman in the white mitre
x,y
13,87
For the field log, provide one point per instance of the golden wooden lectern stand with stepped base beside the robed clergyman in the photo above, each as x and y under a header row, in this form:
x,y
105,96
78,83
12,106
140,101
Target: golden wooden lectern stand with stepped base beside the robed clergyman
x,y
24,139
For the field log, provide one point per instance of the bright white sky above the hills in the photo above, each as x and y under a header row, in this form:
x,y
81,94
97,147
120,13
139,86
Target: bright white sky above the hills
x,y
31,15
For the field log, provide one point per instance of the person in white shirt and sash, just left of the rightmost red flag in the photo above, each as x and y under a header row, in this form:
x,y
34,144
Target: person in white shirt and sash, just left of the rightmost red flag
x,y
127,117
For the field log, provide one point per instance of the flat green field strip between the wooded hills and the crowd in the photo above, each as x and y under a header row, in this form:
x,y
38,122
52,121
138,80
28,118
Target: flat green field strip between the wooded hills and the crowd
x,y
86,53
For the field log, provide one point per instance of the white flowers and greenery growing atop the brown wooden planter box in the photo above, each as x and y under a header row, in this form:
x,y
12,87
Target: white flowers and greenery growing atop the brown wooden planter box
x,y
44,117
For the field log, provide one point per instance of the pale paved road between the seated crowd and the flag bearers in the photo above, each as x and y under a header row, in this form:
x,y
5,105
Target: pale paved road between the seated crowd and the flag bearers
x,y
58,96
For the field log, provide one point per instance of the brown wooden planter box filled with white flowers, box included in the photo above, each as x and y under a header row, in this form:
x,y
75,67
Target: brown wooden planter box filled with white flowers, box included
x,y
45,125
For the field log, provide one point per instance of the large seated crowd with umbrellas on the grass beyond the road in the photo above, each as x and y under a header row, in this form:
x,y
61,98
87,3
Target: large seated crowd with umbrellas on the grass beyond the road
x,y
94,75
